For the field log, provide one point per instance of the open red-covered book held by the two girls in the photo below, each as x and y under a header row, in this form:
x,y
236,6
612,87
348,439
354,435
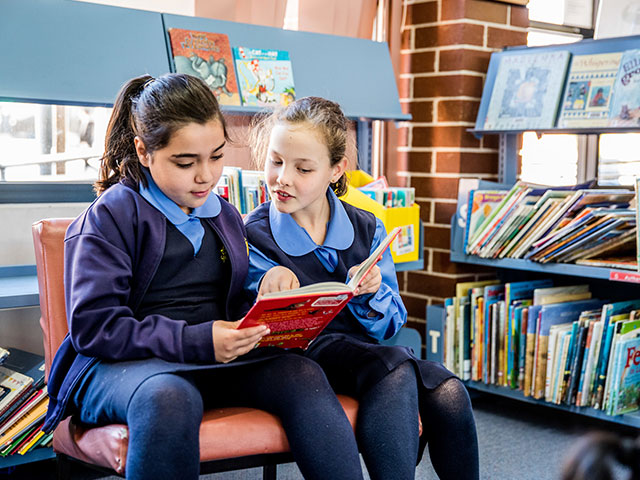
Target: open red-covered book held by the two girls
x,y
296,317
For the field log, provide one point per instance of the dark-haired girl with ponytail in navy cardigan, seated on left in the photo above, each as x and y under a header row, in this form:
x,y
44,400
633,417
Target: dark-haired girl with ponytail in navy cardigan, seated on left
x,y
154,274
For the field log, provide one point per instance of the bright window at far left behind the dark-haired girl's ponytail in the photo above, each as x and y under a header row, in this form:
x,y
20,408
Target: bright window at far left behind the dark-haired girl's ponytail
x,y
50,142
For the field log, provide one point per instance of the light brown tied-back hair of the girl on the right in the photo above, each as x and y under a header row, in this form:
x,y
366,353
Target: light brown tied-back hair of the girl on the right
x,y
321,115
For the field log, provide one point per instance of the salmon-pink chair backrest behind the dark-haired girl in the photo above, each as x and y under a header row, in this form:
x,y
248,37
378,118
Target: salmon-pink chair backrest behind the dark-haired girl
x,y
48,241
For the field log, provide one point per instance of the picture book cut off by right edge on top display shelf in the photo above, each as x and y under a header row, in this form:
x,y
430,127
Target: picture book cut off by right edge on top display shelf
x,y
625,106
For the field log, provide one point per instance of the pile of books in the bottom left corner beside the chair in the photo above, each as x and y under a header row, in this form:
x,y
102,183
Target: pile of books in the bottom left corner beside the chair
x,y
23,403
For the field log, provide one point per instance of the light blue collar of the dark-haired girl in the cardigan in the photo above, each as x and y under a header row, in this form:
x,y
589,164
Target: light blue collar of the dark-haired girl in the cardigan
x,y
188,224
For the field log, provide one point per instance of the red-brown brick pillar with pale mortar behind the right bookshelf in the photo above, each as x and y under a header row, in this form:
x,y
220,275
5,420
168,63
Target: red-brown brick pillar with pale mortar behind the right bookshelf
x,y
445,50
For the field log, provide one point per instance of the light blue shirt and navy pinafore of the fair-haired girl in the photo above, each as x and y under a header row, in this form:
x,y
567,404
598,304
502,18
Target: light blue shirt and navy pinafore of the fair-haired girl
x,y
348,349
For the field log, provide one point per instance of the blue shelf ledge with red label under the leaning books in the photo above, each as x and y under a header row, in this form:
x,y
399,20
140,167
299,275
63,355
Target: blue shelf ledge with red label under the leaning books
x,y
570,269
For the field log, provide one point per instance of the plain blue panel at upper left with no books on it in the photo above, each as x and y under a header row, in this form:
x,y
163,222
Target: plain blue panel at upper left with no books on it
x,y
67,52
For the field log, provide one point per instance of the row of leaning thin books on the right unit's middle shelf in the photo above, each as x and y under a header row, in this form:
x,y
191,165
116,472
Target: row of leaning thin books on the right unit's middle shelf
x,y
562,225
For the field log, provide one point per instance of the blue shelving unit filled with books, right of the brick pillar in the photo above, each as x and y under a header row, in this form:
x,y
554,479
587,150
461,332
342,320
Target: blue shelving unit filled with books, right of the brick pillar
x,y
565,336
